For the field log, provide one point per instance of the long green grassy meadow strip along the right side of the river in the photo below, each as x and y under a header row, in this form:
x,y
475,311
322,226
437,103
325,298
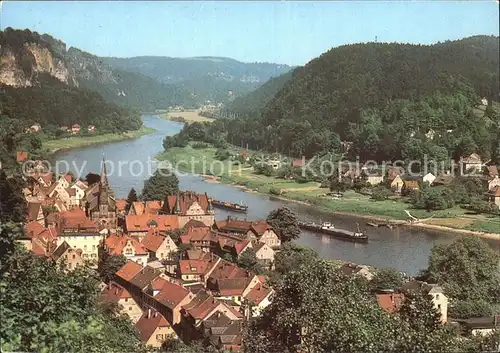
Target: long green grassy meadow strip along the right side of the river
x,y
203,162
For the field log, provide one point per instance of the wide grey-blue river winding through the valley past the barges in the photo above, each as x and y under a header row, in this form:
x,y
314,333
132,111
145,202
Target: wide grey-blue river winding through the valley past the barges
x,y
403,248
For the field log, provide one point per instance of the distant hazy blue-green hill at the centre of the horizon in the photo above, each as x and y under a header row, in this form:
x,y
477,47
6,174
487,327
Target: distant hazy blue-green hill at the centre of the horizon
x,y
216,79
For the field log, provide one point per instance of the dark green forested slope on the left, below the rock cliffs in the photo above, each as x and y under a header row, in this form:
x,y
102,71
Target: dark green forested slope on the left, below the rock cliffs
x,y
53,104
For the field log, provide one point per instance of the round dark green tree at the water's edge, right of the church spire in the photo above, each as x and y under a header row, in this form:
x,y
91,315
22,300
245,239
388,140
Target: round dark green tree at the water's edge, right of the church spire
x,y
162,184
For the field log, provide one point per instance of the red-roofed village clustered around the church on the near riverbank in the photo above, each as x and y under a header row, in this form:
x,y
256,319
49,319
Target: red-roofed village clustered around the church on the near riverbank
x,y
181,279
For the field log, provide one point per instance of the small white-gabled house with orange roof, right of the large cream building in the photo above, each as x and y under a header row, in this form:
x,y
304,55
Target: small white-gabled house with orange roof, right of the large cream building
x,y
127,246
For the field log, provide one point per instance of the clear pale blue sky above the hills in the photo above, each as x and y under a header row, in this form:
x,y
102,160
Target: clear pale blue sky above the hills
x,y
281,31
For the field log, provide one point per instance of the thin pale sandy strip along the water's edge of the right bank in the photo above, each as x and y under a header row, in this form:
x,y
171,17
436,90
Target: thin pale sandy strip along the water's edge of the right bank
x,y
396,222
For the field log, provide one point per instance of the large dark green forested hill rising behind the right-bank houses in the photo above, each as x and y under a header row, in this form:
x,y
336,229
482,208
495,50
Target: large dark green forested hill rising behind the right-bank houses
x,y
386,99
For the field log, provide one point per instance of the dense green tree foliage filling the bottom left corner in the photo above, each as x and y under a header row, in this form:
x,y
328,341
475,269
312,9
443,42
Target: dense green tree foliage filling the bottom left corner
x,y
57,311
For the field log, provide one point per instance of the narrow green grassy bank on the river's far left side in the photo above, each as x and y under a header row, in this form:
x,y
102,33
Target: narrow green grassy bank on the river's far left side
x,y
52,146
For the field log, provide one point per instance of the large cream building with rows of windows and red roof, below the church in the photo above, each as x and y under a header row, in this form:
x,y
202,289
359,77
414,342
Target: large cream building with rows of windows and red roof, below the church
x,y
77,230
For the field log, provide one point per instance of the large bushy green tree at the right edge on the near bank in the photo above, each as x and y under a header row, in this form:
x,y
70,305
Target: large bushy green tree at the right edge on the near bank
x,y
467,269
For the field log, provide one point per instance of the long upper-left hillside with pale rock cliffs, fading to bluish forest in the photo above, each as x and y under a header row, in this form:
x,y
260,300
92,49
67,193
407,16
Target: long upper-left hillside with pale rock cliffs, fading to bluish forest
x,y
25,54
